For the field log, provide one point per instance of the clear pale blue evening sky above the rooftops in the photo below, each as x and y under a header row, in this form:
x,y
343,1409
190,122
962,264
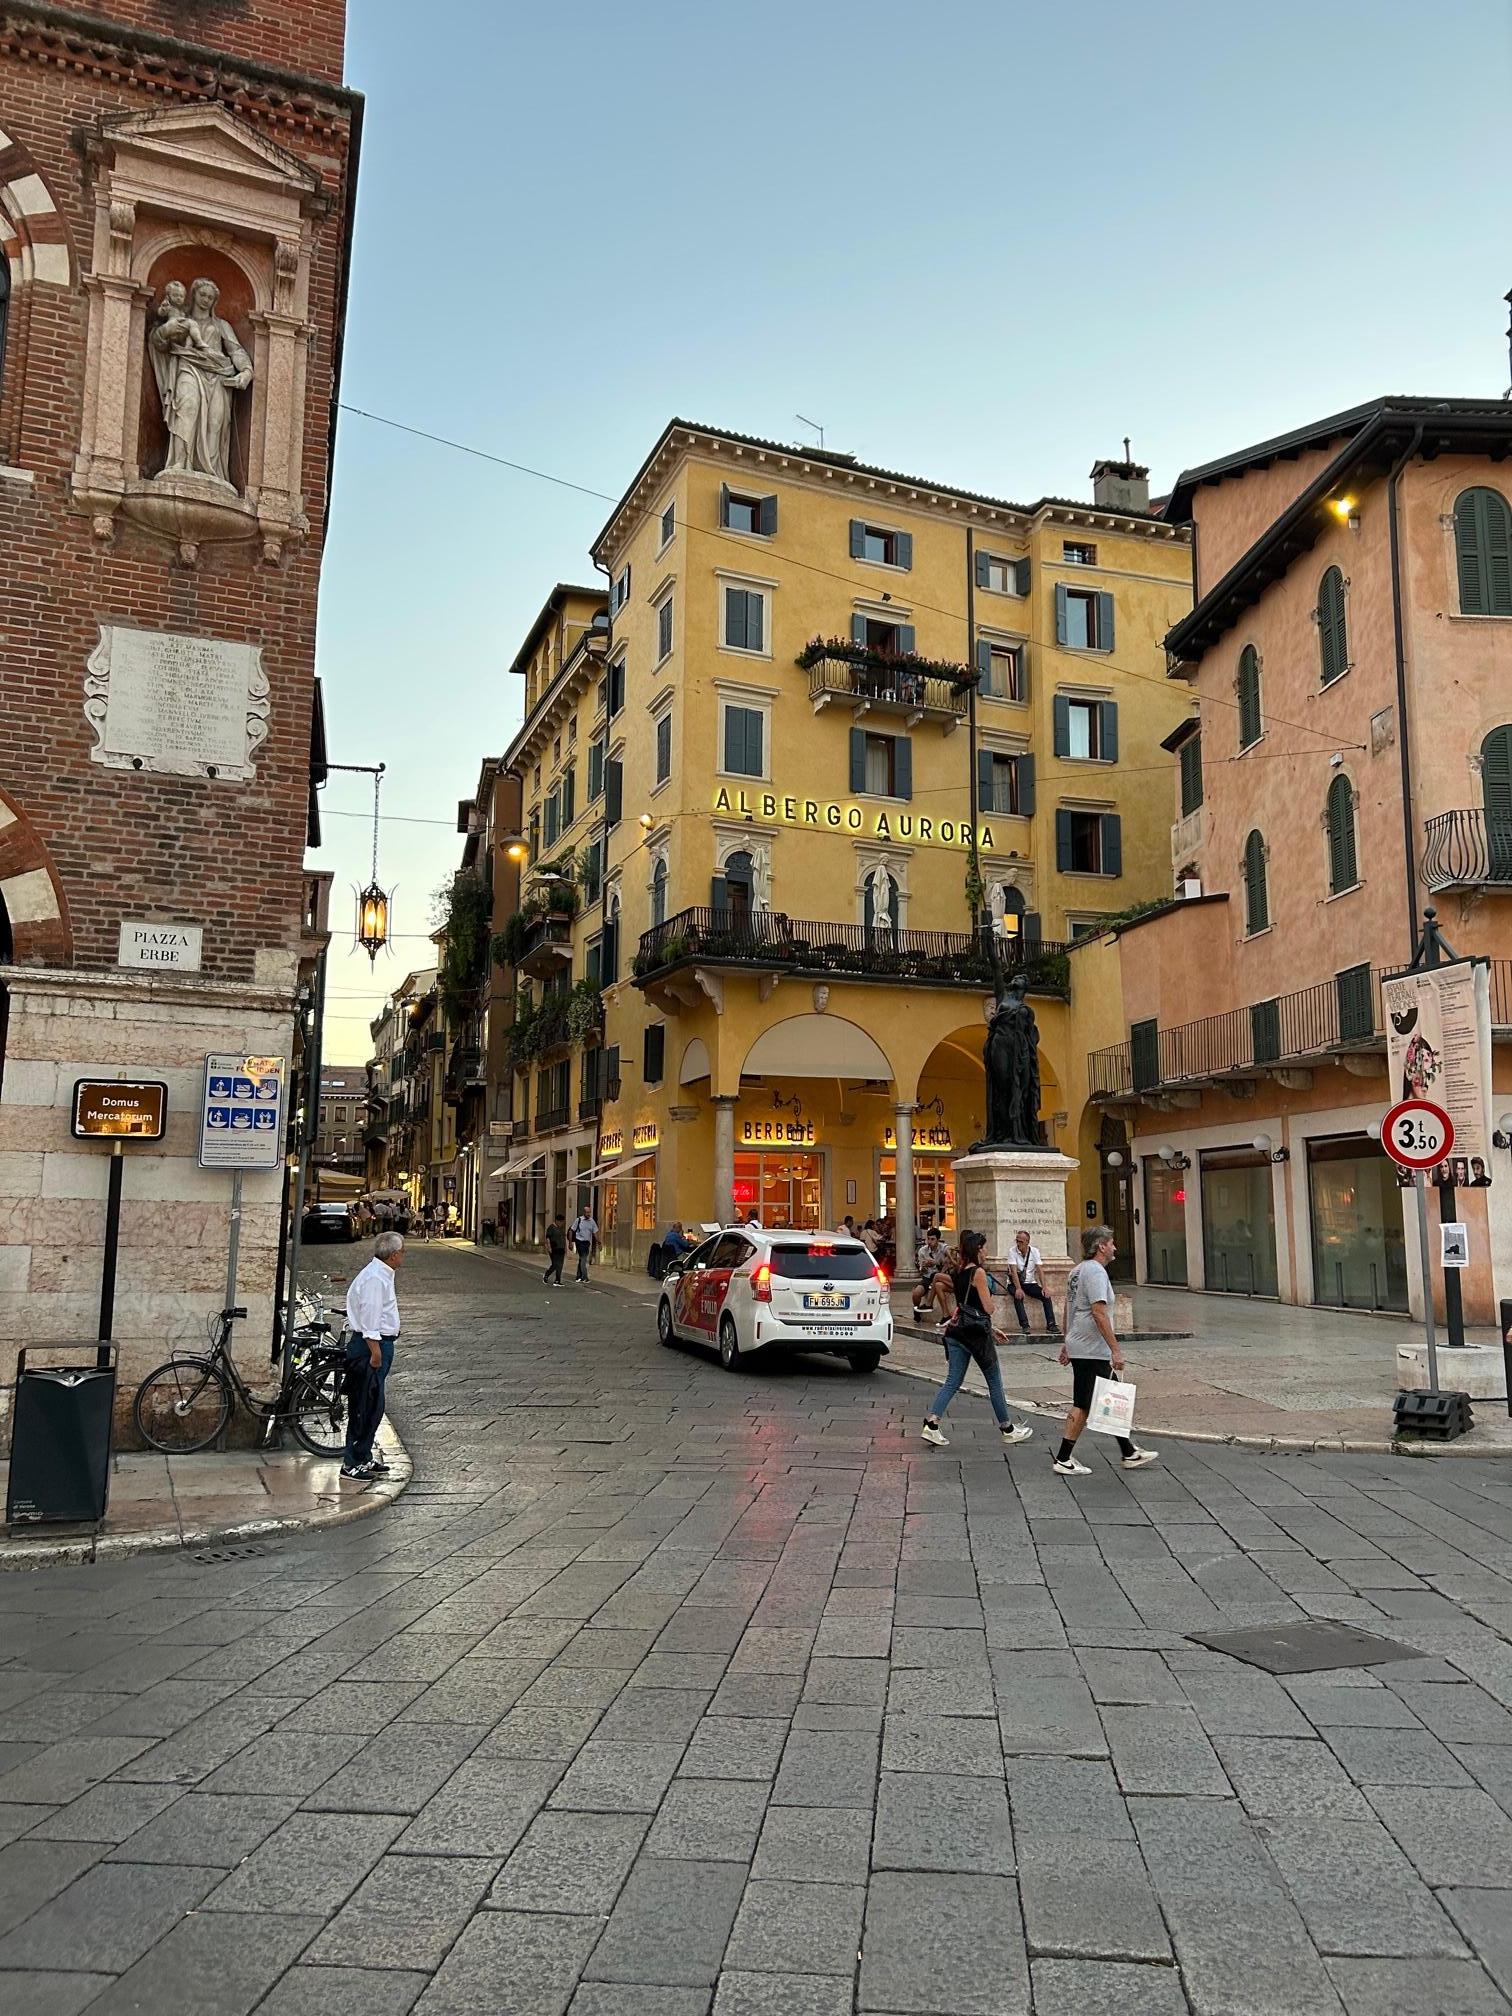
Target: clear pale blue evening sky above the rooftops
x,y
977,241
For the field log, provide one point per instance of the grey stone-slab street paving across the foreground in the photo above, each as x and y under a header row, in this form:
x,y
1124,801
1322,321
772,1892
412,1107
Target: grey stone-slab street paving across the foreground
x,y
666,1692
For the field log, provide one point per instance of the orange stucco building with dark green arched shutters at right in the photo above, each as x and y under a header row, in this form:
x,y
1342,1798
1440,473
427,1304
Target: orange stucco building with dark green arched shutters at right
x,y
1346,765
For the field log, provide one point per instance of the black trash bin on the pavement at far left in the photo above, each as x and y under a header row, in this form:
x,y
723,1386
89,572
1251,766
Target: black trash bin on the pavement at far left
x,y
61,1442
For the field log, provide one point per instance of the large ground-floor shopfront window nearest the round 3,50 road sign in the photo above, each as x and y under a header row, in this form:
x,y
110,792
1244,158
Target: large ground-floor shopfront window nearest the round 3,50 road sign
x,y
1360,1249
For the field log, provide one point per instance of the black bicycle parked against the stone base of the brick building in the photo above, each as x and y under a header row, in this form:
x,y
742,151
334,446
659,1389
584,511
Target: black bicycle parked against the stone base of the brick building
x,y
186,1404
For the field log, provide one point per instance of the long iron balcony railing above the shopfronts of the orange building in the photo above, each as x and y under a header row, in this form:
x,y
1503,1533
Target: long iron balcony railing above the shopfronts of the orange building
x,y
1293,1029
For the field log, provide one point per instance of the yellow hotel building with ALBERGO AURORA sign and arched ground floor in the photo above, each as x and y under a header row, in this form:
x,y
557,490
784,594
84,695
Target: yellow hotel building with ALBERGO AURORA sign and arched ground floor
x,y
838,707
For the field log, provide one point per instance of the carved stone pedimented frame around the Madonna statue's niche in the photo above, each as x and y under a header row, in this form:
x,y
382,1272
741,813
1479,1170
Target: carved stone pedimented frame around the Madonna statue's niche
x,y
197,176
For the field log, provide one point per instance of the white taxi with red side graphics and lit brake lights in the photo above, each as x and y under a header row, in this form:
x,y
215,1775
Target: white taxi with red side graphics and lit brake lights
x,y
747,1291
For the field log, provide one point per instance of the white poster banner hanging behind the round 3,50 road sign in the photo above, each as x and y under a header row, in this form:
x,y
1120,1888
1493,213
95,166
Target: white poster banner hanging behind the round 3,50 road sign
x,y
1440,1047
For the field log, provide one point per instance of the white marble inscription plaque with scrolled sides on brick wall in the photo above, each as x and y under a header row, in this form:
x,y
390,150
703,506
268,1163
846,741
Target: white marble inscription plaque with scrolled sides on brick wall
x,y
184,707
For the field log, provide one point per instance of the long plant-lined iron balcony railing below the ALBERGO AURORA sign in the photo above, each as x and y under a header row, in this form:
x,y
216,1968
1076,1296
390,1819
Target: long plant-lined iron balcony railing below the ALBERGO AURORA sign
x,y
773,942
